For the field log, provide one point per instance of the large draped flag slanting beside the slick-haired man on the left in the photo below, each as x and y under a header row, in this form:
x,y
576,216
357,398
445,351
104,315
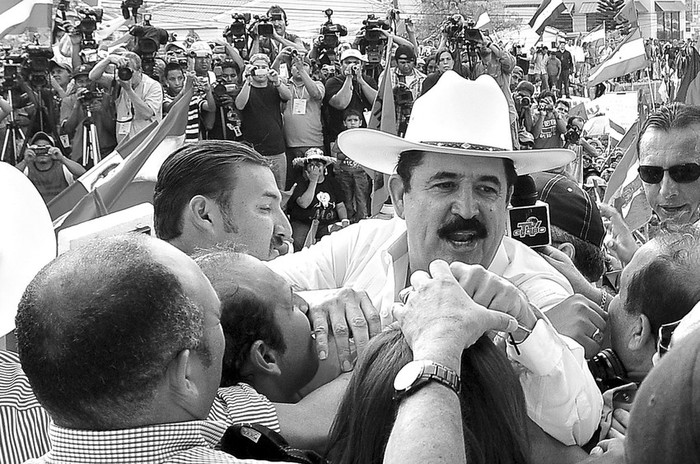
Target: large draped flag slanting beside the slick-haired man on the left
x,y
107,198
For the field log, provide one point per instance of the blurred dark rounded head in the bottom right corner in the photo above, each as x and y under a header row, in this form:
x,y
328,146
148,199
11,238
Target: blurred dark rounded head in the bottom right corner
x,y
663,425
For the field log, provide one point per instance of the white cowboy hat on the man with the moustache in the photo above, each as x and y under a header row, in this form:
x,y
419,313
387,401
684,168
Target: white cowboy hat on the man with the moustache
x,y
457,116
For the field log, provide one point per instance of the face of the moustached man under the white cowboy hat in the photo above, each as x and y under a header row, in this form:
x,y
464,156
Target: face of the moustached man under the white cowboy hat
x,y
455,209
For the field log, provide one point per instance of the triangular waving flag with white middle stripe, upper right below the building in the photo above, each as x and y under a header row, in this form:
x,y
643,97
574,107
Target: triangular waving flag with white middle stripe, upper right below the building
x,y
628,57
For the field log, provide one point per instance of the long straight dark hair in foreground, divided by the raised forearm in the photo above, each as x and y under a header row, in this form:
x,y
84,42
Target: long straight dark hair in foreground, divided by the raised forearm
x,y
492,402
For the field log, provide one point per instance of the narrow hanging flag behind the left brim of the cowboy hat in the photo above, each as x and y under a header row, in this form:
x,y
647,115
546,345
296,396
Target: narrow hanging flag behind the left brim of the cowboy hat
x,y
383,118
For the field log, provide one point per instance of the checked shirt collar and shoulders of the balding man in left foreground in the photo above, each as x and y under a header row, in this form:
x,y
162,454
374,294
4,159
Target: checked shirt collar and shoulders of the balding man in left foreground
x,y
176,443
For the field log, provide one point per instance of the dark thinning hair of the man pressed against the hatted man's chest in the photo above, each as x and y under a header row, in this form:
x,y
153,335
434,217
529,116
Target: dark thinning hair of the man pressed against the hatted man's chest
x,y
245,317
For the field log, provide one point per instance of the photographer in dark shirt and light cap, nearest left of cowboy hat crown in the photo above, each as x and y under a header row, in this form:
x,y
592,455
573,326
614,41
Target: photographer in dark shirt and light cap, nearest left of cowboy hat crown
x,y
350,90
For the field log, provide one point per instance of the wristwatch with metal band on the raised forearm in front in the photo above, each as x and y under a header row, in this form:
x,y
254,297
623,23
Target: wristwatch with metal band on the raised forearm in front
x,y
417,374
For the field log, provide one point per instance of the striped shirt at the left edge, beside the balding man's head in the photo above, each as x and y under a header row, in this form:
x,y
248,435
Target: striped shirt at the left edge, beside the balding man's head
x,y
23,422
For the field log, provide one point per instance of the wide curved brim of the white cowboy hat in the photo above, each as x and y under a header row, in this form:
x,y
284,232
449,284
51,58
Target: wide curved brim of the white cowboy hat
x,y
380,151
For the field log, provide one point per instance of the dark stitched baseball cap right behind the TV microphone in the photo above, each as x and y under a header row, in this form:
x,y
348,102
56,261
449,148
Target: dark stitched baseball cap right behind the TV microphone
x,y
570,207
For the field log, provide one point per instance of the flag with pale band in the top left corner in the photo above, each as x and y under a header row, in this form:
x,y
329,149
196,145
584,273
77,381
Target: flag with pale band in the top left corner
x,y
16,16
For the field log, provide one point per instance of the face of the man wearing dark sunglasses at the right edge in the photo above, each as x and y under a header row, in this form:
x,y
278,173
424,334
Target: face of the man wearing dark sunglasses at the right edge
x,y
671,200
